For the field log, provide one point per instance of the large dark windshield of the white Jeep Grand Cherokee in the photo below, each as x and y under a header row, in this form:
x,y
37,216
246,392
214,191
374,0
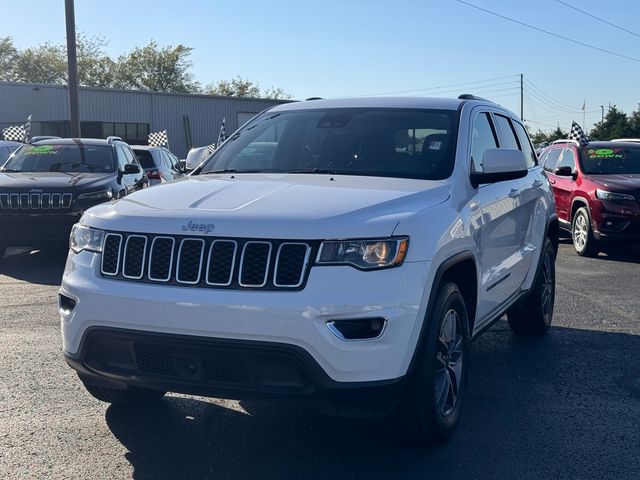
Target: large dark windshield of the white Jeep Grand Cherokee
x,y
408,143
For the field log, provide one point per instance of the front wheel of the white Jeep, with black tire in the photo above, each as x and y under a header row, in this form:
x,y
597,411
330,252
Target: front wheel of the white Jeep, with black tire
x,y
432,401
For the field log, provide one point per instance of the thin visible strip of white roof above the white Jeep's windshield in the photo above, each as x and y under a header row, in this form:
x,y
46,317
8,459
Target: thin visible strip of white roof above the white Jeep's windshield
x,y
375,102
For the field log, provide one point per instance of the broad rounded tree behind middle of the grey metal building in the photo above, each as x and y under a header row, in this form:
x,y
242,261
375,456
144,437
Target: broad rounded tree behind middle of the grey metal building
x,y
160,69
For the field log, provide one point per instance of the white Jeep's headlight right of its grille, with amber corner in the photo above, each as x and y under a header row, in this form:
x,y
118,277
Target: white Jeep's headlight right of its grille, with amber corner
x,y
364,254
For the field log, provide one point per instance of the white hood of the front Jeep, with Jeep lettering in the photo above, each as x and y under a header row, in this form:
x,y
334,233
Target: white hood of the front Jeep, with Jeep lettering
x,y
291,206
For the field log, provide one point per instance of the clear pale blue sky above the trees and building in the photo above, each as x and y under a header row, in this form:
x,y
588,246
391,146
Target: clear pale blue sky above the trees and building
x,y
337,48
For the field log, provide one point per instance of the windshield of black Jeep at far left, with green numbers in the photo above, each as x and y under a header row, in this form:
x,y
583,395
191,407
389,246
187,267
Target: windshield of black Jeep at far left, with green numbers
x,y
62,158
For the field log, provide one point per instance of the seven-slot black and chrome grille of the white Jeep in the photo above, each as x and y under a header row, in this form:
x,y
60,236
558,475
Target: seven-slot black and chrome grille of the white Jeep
x,y
206,262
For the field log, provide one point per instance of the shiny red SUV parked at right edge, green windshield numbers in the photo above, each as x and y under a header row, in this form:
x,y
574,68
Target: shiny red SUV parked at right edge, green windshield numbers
x,y
597,191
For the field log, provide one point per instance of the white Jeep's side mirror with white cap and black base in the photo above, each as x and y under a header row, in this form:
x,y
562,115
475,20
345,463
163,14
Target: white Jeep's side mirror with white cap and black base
x,y
500,164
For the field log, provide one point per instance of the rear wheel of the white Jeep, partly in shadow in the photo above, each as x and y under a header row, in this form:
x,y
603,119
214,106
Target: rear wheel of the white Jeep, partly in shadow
x,y
533,314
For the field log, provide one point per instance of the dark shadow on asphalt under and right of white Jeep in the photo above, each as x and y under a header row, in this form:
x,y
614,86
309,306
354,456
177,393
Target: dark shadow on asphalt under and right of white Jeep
x,y
563,406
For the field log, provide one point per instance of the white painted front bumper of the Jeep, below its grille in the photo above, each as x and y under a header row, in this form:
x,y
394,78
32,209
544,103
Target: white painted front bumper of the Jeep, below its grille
x,y
293,318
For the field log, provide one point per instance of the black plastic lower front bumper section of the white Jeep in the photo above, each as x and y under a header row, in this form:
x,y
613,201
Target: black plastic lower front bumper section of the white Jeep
x,y
233,369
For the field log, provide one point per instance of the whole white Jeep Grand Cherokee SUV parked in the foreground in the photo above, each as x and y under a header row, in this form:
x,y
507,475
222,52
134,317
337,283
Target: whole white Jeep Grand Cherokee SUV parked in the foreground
x,y
337,252
